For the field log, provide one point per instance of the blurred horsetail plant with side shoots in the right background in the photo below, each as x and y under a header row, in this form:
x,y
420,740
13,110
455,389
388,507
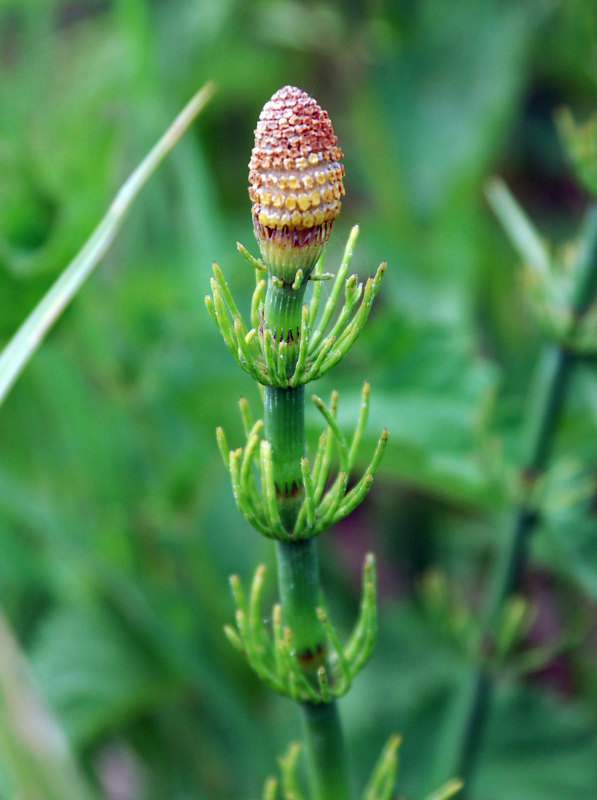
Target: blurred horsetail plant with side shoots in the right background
x,y
564,302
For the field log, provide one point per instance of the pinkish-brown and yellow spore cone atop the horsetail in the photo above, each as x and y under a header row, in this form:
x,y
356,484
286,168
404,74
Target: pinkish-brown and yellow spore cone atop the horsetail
x,y
296,181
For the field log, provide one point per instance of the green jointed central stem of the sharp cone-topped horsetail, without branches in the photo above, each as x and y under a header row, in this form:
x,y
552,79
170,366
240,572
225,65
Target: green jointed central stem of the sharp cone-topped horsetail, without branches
x,y
298,567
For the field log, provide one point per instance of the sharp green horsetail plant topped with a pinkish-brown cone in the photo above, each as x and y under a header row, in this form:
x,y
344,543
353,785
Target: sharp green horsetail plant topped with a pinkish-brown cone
x,y
296,188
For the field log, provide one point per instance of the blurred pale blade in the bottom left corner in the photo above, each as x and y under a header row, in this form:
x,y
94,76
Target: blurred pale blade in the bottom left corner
x,y
33,750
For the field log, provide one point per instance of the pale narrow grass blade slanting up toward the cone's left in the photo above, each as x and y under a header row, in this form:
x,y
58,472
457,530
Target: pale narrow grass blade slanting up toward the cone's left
x,y
32,332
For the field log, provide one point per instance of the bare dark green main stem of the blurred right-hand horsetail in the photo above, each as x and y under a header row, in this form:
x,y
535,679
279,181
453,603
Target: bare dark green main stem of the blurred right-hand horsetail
x,y
556,367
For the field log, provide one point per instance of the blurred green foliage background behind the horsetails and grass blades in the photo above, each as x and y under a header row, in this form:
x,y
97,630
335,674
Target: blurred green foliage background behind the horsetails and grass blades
x,y
117,525
